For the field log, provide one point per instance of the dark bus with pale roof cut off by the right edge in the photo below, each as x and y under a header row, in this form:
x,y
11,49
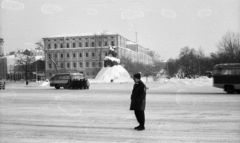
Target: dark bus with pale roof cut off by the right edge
x,y
227,77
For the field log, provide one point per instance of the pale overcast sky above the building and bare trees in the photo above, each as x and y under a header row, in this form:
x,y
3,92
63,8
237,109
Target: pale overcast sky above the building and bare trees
x,y
162,25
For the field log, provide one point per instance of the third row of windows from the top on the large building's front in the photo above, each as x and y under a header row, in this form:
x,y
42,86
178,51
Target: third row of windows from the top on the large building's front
x,y
74,65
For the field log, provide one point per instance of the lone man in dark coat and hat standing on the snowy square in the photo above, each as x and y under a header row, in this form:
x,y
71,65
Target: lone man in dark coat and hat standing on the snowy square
x,y
138,101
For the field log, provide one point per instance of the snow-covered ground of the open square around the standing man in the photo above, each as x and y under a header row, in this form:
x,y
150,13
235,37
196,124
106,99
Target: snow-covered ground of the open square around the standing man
x,y
177,111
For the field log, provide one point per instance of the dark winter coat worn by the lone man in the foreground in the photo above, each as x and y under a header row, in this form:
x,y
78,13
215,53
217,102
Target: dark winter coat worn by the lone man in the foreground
x,y
138,97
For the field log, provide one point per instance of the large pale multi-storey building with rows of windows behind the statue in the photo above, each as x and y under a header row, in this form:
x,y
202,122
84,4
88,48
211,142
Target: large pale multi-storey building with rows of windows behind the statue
x,y
85,53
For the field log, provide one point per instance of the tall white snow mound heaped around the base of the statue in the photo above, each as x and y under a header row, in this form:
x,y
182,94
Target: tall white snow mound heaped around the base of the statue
x,y
116,74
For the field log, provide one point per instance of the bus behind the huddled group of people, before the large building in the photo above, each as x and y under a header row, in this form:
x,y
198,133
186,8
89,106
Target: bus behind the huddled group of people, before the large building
x,y
61,79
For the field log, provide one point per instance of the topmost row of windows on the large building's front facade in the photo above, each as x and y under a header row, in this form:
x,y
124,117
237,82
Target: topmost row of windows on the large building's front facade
x,y
87,44
